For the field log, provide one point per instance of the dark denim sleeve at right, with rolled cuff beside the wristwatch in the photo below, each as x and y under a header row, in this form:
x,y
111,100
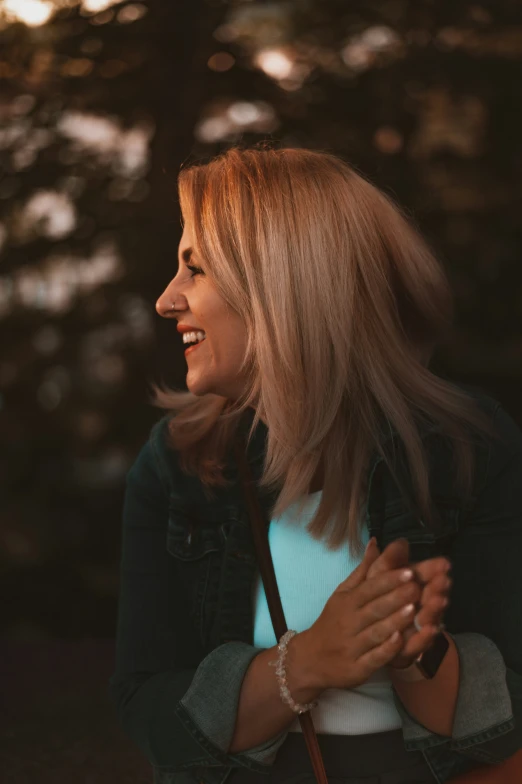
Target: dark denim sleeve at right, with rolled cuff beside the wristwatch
x,y
487,592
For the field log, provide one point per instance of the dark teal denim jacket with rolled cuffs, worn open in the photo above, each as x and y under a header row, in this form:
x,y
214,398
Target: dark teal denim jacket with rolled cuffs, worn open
x,y
185,621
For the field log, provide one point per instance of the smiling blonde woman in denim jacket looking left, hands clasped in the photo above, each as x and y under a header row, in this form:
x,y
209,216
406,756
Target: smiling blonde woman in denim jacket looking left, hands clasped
x,y
312,308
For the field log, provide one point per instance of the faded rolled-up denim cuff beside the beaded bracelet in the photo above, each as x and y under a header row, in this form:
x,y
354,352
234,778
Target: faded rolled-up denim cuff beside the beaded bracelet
x,y
213,709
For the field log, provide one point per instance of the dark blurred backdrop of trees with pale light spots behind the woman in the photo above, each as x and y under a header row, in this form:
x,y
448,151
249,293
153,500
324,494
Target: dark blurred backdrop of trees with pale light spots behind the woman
x,y
101,103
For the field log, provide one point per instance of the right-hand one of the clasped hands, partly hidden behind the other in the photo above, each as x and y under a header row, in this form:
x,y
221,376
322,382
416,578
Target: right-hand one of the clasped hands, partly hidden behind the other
x,y
434,586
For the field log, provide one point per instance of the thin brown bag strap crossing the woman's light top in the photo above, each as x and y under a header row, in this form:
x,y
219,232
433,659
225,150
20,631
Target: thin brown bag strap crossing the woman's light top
x,y
266,568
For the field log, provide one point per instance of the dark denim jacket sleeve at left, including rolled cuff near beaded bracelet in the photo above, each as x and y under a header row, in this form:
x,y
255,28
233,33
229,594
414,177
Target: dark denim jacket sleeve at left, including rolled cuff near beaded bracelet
x,y
180,716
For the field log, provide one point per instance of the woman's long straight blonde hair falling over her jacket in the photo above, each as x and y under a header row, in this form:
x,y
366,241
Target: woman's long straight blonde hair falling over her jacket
x,y
343,304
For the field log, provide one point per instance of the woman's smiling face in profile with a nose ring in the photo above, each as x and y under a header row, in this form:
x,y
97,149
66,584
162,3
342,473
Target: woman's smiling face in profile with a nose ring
x,y
214,365
